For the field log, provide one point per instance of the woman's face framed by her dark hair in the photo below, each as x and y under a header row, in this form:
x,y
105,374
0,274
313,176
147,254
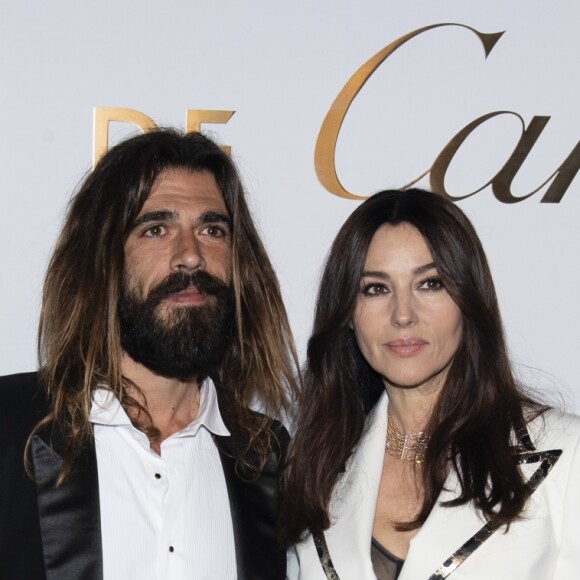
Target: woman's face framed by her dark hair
x,y
406,325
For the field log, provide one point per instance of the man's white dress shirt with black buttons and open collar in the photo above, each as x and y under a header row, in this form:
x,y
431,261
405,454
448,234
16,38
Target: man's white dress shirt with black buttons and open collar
x,y
163,517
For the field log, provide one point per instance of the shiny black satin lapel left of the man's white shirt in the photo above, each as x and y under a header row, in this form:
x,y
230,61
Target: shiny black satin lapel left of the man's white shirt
x,y
69,515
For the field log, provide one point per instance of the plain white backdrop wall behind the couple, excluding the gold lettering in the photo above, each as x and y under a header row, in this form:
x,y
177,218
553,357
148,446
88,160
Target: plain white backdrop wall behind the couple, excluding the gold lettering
x,y
280,66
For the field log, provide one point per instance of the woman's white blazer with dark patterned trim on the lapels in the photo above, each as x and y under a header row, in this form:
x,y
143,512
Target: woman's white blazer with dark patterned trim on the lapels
x,y
544,545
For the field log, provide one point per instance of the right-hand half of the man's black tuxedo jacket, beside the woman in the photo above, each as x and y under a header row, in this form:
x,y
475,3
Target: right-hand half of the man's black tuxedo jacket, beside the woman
x,y
254,504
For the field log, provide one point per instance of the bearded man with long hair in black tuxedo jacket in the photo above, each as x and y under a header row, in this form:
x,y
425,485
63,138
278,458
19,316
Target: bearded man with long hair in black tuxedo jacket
x,y
133,452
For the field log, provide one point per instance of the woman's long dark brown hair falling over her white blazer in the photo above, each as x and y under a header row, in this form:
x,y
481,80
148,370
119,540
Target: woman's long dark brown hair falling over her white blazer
x,y
480,403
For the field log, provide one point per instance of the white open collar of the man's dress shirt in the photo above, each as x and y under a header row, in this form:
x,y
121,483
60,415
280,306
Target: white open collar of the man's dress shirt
x,y
106,410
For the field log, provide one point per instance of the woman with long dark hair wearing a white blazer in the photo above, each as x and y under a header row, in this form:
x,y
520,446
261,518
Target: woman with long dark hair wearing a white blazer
x,y
417,455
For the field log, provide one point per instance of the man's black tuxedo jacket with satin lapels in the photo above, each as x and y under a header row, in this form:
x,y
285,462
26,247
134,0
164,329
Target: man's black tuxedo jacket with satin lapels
x,y
55,534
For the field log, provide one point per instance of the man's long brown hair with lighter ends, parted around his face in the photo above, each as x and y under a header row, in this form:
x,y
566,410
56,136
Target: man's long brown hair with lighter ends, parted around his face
x,y
79,341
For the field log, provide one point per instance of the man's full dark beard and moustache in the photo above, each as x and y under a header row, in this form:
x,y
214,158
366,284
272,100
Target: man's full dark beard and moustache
x,y
186,341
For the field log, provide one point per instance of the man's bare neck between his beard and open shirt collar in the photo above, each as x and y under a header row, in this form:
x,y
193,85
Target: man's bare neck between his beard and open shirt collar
x,y
172,404
